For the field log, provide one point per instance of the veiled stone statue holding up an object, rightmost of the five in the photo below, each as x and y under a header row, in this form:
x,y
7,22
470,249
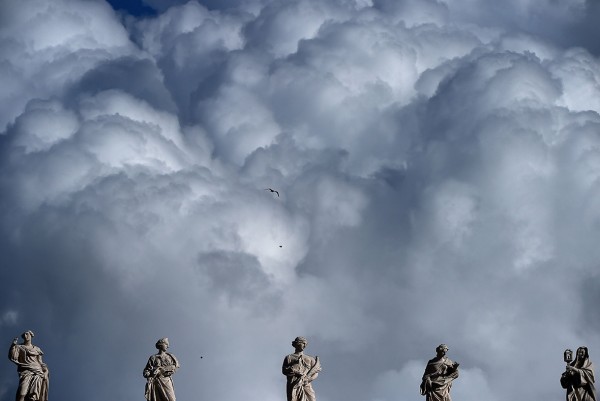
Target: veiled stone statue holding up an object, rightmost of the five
x,y
578,378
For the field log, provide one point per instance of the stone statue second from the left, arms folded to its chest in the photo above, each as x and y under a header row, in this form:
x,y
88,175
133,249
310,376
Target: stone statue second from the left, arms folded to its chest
x,y
158,371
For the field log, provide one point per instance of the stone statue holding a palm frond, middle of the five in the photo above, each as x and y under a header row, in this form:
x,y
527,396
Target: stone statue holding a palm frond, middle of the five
x,y
300,371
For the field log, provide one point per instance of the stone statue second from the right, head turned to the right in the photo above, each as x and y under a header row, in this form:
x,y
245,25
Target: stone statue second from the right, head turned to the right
x,y
439,374
